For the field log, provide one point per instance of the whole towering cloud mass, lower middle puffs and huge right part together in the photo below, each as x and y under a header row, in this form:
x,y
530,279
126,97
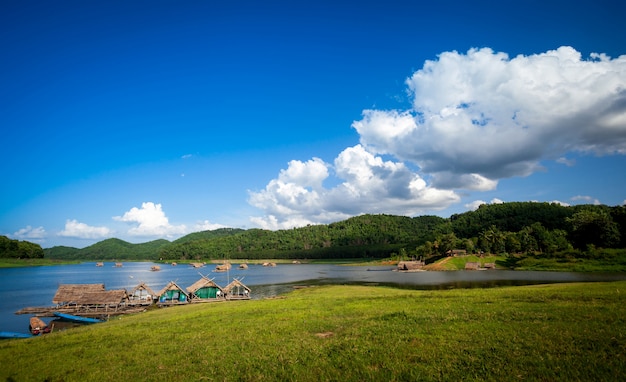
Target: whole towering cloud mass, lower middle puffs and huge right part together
x,y
475,118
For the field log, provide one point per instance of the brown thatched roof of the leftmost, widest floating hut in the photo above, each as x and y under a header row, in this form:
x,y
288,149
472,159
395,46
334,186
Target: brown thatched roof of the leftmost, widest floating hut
x,y
88,294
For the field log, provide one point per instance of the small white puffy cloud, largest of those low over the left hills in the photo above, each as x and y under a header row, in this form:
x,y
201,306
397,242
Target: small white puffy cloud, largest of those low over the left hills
x,y
150,220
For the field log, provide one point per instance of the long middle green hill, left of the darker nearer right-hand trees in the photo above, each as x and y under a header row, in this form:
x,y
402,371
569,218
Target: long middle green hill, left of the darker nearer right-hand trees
x,y
366,236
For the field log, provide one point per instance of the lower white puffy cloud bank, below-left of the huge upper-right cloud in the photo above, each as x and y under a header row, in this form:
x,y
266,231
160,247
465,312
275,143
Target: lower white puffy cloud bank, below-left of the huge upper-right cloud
x,y
370,185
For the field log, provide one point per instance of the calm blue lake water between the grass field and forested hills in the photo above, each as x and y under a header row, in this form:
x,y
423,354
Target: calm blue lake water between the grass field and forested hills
x,y
36,286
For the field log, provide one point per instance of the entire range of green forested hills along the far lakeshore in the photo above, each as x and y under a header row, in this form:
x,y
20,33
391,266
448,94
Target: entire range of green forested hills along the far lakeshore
x,y
509,227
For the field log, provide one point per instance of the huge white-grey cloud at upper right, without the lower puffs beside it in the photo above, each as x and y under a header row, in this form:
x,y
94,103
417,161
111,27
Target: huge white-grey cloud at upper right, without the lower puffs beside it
x,y
482,116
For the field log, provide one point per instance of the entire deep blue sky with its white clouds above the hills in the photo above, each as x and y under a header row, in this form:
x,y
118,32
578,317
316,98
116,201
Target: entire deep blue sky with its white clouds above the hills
x,y
153,119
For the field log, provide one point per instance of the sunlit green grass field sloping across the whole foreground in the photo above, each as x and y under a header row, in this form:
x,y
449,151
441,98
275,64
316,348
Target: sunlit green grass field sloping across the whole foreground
x,y
572,332
